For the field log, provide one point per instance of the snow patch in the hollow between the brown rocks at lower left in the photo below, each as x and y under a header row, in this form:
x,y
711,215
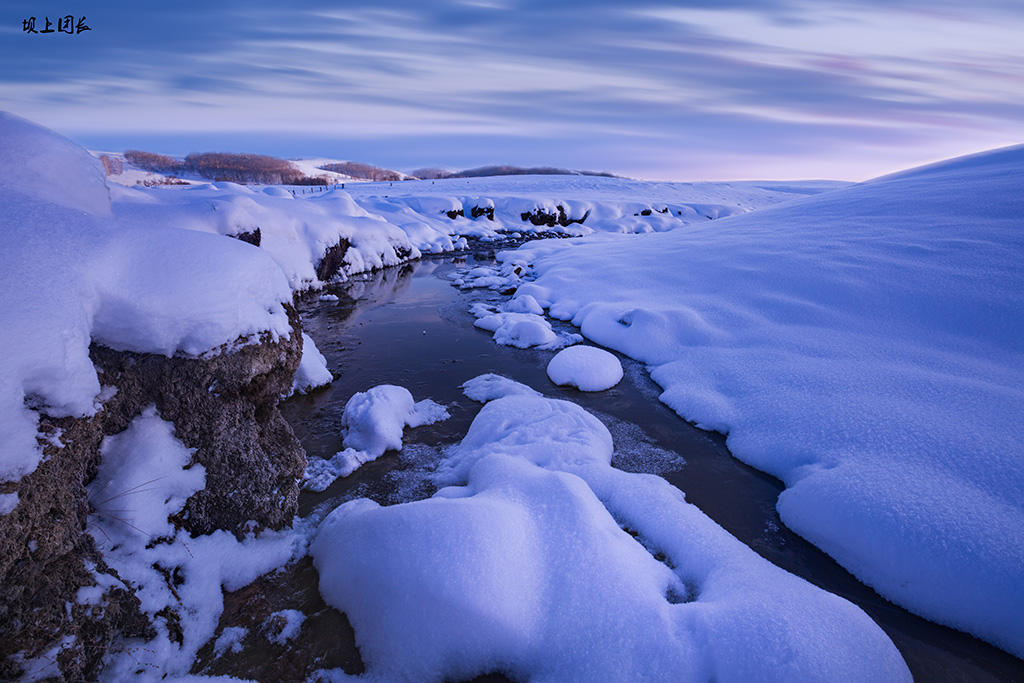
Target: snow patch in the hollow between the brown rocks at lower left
x,y
144,480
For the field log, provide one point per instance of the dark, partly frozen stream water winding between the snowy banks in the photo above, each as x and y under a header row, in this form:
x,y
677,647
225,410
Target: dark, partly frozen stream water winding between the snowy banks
x,y
408,326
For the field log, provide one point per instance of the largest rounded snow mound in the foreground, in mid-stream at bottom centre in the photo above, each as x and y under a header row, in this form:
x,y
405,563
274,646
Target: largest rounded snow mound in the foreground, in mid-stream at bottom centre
x,y
541,562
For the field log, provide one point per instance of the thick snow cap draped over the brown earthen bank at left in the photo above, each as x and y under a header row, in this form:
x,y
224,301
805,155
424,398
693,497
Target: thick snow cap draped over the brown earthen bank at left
x,y
71,275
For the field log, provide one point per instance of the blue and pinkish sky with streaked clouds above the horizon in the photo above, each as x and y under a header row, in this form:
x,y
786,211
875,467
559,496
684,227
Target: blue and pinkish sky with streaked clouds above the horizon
x,y
685,91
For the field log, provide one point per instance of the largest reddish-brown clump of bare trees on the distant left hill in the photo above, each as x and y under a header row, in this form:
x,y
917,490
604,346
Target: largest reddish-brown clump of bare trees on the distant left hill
x,y
219,166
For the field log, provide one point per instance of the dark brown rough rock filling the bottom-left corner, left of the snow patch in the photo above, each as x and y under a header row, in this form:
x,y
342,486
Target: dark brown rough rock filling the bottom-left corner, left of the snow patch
x,y
46,558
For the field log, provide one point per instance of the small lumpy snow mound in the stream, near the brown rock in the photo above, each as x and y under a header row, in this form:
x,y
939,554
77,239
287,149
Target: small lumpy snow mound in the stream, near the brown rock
x,y
374,422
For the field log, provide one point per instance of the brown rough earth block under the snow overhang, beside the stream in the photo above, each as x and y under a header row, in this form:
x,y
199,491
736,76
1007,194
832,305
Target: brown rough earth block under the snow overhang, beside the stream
x,y
226,407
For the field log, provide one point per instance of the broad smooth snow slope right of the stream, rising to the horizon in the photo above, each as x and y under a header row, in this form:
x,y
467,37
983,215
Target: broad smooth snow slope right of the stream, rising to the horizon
x,y
866,348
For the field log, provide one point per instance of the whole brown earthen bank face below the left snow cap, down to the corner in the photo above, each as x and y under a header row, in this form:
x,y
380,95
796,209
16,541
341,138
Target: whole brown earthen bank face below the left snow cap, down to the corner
x,y
225,406
